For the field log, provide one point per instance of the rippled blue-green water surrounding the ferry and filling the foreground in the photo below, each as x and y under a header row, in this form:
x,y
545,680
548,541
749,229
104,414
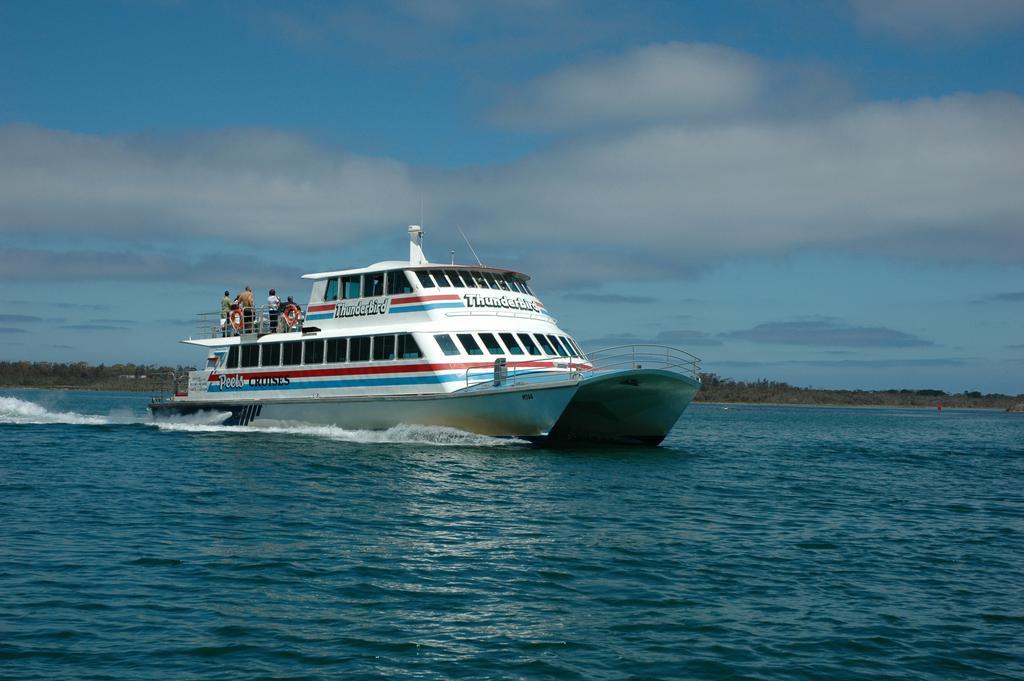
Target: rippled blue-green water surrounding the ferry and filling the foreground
x,y
758,543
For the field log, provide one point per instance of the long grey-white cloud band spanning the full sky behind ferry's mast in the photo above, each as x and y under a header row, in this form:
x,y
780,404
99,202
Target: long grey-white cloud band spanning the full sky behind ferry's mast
x,y
930,179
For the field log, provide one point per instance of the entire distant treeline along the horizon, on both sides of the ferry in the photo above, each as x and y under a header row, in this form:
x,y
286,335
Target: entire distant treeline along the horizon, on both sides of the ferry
x,y
148,378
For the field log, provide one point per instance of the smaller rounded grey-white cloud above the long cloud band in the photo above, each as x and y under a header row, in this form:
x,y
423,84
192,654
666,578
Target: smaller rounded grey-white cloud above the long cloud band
x,y
652,83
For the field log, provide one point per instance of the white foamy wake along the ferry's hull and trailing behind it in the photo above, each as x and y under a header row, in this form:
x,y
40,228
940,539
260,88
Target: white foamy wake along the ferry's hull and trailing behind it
x,y
21,412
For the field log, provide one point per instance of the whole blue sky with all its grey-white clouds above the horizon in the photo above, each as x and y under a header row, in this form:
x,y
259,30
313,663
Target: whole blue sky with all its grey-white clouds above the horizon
x,y
829,194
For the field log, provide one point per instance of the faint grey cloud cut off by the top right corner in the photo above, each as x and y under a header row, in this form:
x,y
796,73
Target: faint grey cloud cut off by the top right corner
x,y
950,18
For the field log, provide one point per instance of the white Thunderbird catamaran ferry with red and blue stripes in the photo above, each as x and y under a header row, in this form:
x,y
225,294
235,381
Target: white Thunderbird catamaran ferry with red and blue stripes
x,y
421,344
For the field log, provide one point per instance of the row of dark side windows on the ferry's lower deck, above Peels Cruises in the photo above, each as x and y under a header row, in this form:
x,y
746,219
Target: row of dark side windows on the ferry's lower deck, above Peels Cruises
x,y
331,351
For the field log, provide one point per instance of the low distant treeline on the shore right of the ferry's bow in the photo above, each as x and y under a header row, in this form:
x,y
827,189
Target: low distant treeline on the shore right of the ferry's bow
x,y
718,390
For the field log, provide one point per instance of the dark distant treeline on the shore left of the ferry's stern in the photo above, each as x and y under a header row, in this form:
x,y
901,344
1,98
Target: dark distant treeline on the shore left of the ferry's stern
x,y
140,378
